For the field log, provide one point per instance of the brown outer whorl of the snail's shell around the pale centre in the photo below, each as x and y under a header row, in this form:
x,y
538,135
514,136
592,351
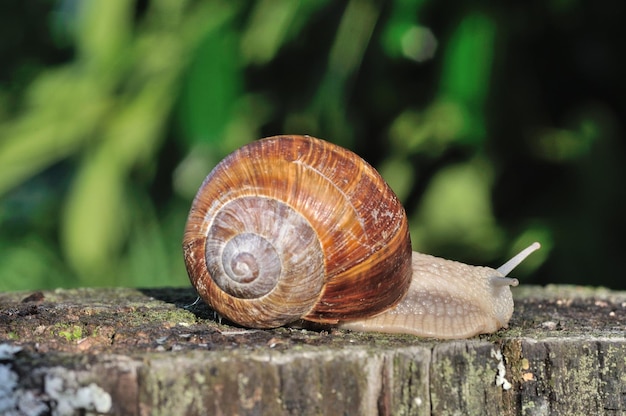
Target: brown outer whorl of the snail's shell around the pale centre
x,y
361,226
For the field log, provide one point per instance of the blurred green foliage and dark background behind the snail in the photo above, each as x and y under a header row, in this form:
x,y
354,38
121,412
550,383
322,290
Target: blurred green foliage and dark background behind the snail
x,y
497,125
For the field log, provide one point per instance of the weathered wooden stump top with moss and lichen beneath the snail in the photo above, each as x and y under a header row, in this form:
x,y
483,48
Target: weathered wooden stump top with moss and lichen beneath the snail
x,y
129,351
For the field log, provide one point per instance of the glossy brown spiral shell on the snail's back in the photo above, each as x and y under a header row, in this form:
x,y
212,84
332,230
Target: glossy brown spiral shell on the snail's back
x,y
293,227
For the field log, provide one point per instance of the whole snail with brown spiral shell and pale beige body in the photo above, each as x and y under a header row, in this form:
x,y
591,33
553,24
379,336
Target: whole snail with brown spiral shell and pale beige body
x,y
292,228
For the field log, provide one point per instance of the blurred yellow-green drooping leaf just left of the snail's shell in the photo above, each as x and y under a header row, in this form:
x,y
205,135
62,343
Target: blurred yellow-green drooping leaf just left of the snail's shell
x,y
95,218
